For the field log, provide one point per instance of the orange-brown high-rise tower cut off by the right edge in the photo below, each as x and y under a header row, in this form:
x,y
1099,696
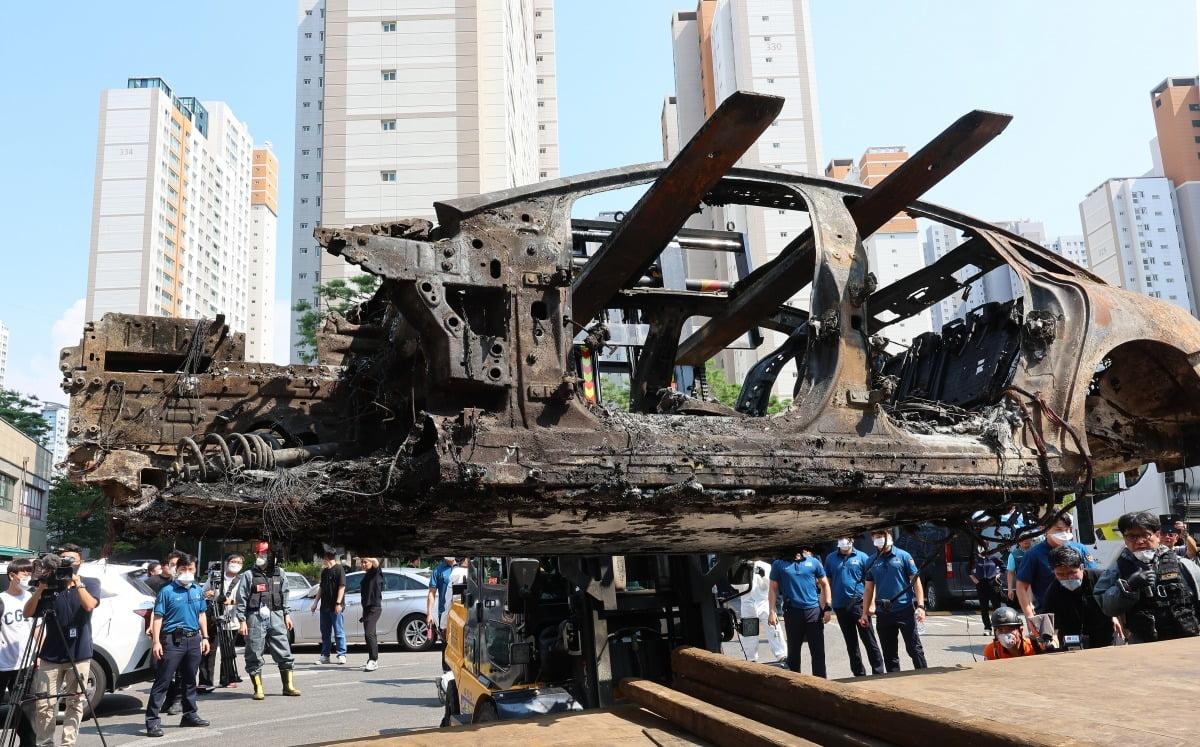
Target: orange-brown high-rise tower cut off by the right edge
x,y
1177,107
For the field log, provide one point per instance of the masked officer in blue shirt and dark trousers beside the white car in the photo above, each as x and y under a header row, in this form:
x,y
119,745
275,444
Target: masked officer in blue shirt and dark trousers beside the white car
x,y
181,638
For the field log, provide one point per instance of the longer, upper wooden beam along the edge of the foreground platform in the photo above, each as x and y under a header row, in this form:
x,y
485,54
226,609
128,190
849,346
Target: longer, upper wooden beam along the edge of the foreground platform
x,y
887,716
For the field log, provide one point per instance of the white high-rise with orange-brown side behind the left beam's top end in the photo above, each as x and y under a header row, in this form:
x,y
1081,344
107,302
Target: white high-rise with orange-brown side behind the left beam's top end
x,y
764,46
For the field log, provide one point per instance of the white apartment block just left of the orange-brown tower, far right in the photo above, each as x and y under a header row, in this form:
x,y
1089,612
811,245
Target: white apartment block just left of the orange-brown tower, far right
x,y
1135,240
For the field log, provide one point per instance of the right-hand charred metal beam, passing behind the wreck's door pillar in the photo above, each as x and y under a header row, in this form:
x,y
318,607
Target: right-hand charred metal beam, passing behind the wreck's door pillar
x,y
778,280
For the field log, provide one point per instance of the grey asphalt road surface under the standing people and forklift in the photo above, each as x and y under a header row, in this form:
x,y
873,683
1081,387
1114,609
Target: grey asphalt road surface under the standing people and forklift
x,y
343,703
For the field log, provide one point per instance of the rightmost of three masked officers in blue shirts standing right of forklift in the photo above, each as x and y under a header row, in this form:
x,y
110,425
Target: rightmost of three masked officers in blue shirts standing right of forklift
x,y
895,595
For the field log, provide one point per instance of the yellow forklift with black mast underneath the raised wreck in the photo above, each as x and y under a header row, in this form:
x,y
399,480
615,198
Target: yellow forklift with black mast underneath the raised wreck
x,y
527,637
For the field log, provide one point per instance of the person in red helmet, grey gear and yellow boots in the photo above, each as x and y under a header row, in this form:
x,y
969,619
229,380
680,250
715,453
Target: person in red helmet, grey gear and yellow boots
x,y
266,618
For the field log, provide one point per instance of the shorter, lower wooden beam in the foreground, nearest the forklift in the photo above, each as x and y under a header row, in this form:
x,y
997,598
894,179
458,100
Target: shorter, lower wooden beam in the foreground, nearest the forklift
x,y
706,721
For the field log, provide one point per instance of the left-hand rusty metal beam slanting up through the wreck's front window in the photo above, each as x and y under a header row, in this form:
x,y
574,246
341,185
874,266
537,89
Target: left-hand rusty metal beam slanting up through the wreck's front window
x,y
671,200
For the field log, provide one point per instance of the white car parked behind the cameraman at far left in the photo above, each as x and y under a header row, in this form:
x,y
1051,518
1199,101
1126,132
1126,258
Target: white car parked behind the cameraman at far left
x,y
121,647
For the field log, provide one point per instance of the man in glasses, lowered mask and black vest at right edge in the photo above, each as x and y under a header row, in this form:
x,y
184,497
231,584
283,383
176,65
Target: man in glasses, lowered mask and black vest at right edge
x,y
1155,589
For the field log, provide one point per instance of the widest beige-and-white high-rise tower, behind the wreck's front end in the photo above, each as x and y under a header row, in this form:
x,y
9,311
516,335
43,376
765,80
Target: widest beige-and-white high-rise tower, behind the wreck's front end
x,y
400,105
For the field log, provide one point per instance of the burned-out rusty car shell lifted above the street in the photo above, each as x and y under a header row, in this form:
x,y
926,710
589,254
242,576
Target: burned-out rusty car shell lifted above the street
x,y
455,410
